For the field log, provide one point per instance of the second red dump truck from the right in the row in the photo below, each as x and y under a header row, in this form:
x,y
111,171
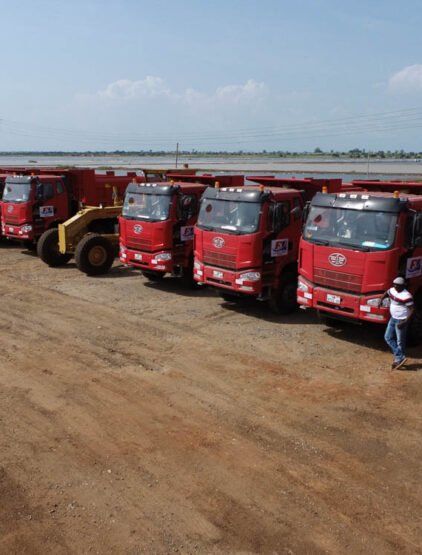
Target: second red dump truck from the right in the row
x,y
247,238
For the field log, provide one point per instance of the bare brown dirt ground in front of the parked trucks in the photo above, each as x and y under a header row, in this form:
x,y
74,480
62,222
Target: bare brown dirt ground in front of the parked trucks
x,y
146,418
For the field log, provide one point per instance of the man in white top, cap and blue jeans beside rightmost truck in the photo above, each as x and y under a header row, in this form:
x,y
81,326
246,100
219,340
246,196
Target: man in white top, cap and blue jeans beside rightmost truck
x,y
401,309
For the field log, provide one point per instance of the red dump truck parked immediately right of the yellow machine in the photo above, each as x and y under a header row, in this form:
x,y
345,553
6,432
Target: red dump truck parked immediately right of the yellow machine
x,y
157,223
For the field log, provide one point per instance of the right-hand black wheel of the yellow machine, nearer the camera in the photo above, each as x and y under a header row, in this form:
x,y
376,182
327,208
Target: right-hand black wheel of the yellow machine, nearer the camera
x,y
94,255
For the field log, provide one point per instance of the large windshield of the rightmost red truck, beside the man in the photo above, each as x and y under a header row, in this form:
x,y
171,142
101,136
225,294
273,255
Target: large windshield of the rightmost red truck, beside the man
x,y
350,228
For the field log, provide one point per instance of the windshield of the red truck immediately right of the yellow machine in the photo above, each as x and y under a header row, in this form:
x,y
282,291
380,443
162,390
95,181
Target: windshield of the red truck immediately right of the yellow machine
x,y
146,206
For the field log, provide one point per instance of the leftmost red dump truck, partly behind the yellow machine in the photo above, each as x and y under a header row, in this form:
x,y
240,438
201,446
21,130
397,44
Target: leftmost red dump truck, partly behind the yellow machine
x,y
35,202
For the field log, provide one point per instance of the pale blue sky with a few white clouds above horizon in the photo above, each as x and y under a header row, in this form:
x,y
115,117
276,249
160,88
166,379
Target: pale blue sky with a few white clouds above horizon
x,y
214,75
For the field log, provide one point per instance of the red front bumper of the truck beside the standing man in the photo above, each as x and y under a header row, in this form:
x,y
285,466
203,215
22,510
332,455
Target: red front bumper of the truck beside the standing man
x,y
341,304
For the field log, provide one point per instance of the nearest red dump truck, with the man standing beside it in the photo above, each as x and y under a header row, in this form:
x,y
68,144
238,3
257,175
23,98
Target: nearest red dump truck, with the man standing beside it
x,y
354,244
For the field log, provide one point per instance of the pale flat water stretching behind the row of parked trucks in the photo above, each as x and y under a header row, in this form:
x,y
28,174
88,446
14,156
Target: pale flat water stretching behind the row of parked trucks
x,y
303,167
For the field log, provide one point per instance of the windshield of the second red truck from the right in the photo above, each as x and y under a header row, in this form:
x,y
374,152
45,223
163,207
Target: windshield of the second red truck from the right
x,y
223,215
